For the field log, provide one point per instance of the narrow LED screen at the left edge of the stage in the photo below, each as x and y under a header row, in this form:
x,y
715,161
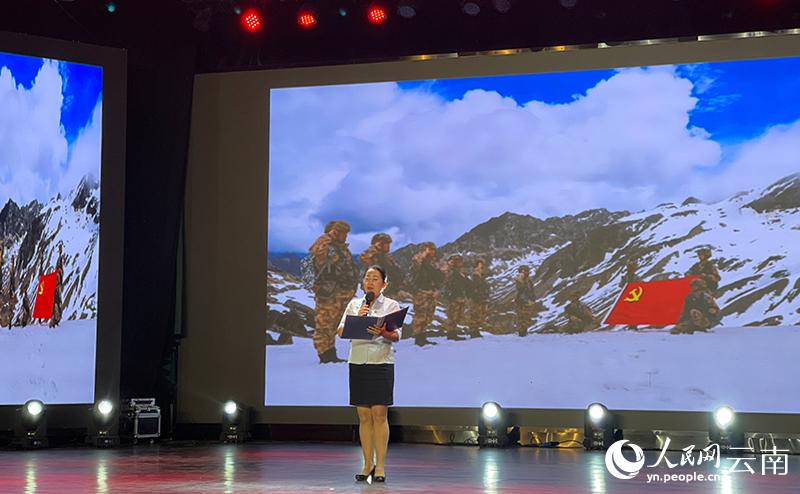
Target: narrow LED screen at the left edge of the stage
x,y
50,140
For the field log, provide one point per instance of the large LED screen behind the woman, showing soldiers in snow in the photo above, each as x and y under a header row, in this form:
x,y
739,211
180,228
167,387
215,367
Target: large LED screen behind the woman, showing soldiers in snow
x,y
628,236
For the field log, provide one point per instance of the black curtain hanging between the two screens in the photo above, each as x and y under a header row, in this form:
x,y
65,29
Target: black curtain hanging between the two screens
x,y
160,86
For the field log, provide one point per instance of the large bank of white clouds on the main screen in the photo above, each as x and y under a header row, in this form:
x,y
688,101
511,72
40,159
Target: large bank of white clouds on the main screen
x,y
383,158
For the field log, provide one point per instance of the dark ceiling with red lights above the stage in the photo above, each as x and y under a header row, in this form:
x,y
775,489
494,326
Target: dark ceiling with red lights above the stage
x,y
440,26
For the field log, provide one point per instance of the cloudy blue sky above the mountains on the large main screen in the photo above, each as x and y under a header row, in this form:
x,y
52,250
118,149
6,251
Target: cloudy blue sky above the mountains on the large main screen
x,y
455,153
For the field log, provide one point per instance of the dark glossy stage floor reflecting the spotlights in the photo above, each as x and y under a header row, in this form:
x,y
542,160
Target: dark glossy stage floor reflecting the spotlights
x,y
295,468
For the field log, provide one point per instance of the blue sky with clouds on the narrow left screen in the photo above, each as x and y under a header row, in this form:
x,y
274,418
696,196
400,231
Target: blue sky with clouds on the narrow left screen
x,y
50,127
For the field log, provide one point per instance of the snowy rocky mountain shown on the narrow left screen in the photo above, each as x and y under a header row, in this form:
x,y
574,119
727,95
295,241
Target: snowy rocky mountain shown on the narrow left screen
x,y
31,234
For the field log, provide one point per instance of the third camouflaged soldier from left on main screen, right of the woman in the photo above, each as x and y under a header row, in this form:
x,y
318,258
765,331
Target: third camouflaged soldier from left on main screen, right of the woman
x,y
426,279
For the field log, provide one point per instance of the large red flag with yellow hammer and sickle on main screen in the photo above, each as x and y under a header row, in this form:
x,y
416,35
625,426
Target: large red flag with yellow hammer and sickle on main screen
x,y
657,303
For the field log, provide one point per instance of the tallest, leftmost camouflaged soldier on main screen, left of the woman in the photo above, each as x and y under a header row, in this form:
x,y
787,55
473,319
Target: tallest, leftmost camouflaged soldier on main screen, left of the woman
x,y
335,283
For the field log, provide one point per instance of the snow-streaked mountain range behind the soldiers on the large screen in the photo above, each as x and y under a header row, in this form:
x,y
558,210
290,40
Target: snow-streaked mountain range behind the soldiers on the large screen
x,y
753,237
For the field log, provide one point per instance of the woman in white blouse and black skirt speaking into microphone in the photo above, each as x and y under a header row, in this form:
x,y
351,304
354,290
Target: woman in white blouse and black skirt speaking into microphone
x,y
372,374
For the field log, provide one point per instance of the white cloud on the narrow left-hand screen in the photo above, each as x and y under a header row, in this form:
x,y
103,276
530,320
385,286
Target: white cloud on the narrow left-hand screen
x,y
36,161
